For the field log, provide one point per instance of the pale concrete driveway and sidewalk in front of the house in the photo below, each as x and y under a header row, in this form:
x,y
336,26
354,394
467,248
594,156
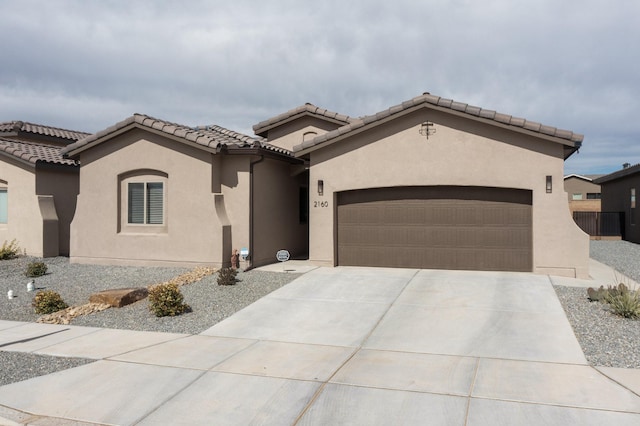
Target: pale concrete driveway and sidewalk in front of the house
x,y
338,346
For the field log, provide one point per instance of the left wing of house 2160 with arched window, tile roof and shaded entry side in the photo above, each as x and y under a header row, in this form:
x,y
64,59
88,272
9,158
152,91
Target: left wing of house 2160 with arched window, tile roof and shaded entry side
x,y
159,193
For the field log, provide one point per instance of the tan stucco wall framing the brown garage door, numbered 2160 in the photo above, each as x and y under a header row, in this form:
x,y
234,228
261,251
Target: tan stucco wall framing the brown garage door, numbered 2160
x,y
462,152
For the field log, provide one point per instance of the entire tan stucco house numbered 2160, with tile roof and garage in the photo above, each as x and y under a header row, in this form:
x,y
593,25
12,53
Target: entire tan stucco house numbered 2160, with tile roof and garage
x,y
429,183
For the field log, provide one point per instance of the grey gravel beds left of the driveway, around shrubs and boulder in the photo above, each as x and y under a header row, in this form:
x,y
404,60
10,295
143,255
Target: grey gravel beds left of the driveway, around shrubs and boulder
x,y
210,303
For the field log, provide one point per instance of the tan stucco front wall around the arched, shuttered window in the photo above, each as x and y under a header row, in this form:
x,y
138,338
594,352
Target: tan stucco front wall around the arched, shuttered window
x,y
194,229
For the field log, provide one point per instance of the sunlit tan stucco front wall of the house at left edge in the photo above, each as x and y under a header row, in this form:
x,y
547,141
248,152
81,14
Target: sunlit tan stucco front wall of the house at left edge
x,y
24,221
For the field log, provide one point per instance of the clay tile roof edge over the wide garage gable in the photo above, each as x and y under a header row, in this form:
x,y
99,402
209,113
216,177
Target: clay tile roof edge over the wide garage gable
x,y
573,140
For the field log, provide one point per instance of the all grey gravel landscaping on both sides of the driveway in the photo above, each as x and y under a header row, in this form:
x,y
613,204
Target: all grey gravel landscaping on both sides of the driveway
x,y
607,340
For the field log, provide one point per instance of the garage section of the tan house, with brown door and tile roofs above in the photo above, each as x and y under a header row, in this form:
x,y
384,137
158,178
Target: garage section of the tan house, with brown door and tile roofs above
x,y
433,183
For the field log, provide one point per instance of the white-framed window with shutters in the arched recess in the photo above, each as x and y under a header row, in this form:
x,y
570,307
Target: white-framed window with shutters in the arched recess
x,y
146,203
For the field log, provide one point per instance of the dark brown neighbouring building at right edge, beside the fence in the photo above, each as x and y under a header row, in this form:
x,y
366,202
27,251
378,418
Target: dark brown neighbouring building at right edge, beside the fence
x,y
619,194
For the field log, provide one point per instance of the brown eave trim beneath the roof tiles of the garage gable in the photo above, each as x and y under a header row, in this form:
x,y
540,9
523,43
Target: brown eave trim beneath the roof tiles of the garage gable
x,y
570,146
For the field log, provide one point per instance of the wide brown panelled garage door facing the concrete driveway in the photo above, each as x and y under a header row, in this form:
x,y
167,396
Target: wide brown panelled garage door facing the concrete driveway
x,y
443,227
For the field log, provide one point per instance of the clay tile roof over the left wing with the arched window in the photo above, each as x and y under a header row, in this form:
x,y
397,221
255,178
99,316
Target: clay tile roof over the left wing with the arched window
x,y
215,137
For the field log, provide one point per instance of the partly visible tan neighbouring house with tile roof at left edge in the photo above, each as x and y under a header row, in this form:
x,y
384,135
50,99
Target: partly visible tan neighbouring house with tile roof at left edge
x,y
38,187
